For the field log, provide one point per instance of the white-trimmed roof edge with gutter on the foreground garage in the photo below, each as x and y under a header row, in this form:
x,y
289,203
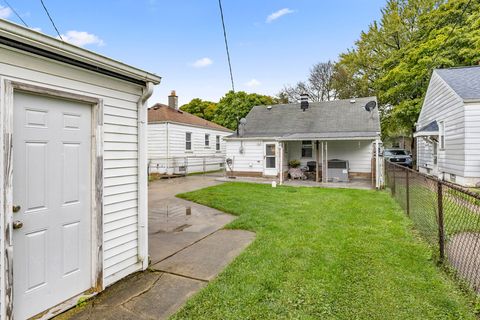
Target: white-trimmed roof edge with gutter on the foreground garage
x,y
25,39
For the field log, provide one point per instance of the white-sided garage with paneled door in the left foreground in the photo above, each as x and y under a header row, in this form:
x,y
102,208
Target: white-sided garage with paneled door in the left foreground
x,y
73,182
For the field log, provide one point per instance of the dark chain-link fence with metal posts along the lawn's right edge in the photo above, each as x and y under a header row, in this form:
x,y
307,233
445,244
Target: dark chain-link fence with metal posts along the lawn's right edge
x,y
446,215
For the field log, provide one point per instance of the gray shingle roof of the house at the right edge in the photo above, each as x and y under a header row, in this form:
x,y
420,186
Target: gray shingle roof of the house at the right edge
x,y
465,81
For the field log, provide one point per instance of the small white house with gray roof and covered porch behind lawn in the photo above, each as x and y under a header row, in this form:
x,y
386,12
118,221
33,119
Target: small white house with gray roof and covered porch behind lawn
x,y
332,130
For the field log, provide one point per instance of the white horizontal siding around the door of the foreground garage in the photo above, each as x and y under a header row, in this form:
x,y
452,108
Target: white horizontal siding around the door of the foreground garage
x,y
120,148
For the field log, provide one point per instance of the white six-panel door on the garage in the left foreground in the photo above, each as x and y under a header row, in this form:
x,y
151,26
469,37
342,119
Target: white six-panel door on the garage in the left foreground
x,y
52,199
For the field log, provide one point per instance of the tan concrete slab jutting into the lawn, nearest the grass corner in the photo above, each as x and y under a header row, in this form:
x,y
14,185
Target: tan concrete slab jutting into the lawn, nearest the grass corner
x,y
205,259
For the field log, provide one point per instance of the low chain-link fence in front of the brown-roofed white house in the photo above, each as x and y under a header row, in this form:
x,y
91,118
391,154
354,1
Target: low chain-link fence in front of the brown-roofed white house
x,y
183,166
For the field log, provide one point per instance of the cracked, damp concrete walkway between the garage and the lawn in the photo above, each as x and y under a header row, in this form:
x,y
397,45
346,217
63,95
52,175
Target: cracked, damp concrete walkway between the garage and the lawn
x,y
187,248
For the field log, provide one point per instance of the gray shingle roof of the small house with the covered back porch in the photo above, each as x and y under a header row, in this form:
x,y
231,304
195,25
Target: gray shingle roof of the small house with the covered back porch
x,y
329,119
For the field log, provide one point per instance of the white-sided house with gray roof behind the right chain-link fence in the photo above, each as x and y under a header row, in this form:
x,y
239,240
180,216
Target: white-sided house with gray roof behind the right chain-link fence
x,y
448,128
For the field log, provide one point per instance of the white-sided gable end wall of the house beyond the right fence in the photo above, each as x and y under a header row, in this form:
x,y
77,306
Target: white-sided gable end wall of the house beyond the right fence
x,y
443,104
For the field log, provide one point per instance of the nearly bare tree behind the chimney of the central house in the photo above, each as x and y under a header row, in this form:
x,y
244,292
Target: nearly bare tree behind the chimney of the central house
x,y
319,86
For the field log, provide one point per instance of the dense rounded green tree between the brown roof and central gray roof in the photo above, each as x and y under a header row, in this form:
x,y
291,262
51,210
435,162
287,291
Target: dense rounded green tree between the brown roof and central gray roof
x,y
238,104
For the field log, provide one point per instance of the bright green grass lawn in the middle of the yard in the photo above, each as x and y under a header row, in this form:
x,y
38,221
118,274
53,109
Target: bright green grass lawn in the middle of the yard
x,y
323,254
